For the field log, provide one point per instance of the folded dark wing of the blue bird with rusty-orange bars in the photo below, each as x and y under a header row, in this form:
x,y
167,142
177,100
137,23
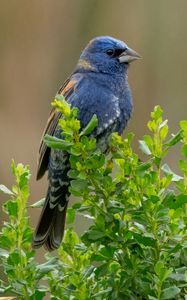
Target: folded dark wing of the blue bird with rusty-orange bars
x,y
66,90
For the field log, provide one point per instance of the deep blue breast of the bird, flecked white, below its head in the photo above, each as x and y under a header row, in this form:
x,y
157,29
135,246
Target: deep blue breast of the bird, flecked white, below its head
x,y
105,96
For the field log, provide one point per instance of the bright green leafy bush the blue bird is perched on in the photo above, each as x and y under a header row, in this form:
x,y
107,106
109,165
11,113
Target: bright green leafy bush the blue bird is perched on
x,y
136,245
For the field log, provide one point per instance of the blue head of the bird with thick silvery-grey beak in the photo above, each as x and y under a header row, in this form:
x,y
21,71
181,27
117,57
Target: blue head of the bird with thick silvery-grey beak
x,y
107,55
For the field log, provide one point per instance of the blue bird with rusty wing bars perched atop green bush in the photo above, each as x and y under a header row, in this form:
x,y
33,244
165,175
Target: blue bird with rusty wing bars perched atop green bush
x,y
98,85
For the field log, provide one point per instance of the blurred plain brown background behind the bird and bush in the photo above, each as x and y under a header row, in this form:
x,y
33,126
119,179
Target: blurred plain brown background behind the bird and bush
x,y
40,42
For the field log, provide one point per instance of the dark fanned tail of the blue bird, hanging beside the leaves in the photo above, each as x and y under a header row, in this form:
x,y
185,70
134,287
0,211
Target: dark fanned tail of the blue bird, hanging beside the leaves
x,y
50,229
